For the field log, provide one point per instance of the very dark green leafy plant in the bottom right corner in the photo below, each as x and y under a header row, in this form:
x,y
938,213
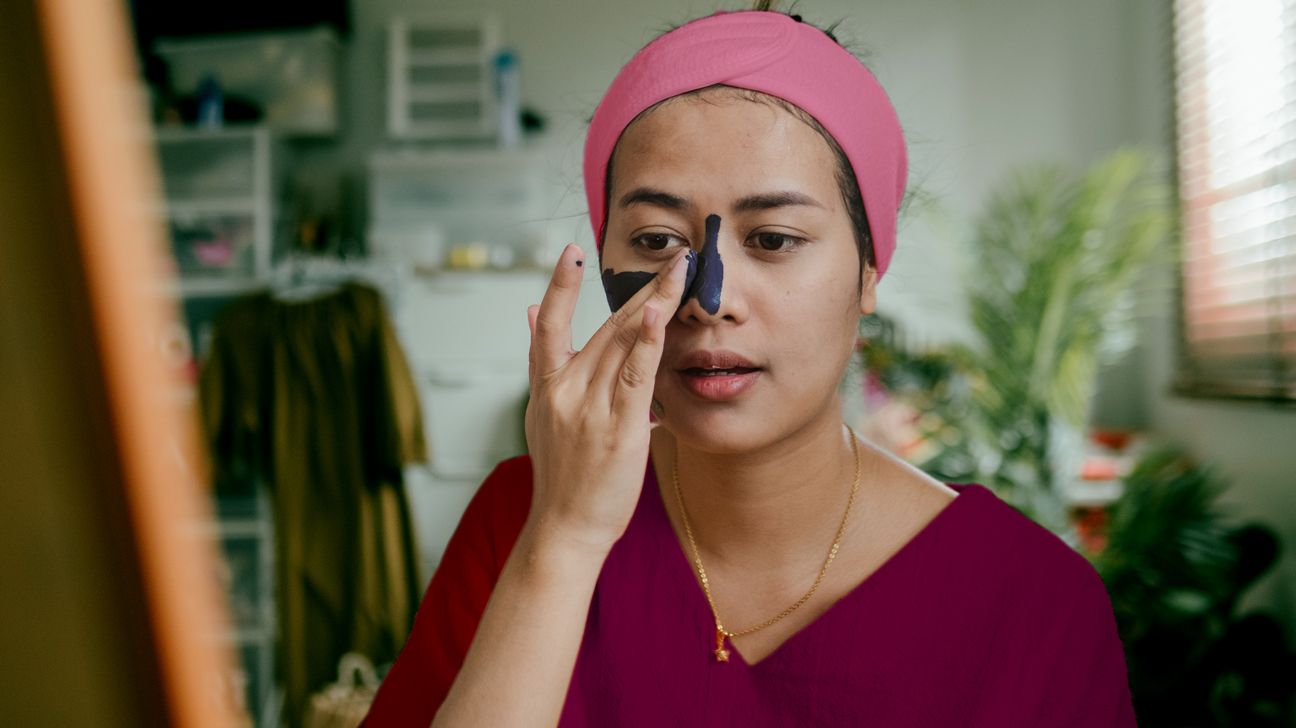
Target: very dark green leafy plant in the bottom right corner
x,y
1176,572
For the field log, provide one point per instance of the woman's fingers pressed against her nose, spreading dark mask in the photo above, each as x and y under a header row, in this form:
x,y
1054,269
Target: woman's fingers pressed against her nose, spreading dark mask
x,y
612,344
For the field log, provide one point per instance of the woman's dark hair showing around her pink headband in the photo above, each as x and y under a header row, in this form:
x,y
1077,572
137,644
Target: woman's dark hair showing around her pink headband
x,y
846,173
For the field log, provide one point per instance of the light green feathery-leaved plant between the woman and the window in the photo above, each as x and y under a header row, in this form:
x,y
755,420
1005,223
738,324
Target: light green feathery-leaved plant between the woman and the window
x,y
1054,261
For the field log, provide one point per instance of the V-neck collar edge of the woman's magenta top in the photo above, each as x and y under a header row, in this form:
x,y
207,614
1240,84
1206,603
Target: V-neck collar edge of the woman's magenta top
x,y
684,564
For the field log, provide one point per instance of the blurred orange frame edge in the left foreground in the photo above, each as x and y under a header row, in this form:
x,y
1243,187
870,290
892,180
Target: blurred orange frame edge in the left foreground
x,y
113,182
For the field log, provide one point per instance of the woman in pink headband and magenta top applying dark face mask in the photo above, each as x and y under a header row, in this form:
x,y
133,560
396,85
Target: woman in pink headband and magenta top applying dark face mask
x,y
746,560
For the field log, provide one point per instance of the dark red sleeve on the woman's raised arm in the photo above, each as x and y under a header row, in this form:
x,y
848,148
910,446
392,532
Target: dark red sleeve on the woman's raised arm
x,y
444,629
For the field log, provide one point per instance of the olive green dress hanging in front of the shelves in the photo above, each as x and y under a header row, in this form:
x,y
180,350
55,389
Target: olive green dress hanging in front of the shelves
x,y
317,401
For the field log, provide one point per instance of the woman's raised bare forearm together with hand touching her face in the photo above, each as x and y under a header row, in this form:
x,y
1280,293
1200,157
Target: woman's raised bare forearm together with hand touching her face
x,y
588,431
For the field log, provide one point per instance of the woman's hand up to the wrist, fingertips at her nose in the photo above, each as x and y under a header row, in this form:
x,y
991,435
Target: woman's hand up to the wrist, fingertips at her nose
x,y
588,422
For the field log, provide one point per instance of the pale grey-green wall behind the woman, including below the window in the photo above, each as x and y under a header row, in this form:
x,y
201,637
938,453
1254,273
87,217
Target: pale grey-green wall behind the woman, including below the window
x,y
980,89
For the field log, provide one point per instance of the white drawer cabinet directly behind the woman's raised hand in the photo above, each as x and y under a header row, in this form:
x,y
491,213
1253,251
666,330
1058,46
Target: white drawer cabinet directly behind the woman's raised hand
x,y
465,331
